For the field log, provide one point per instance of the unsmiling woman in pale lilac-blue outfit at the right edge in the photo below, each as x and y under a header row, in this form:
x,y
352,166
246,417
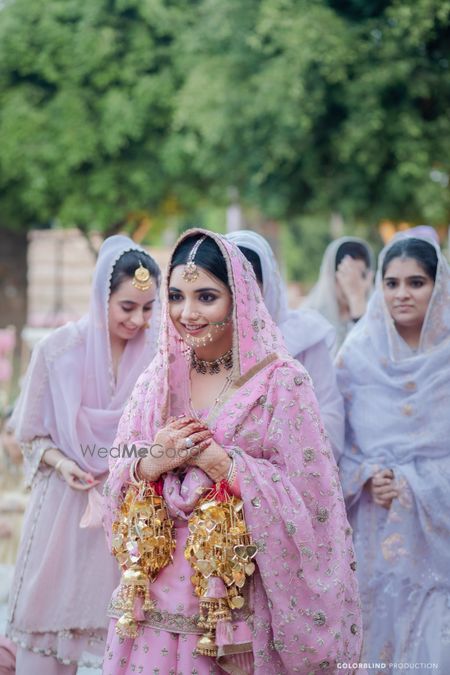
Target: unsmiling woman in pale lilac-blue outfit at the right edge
x,y
394,374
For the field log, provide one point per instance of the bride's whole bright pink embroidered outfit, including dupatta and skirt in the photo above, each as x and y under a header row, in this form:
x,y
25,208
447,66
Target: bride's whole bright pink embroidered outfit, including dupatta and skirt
x,y
301,612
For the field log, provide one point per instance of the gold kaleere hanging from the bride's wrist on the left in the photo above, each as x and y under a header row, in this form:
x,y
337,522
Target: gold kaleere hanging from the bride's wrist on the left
x,y
143,544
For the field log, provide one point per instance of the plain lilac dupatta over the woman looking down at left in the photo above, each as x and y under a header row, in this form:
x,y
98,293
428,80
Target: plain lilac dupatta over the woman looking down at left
x,y
69,394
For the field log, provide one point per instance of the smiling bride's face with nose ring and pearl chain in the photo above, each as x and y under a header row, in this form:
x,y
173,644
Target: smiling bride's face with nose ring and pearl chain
x,y
201,310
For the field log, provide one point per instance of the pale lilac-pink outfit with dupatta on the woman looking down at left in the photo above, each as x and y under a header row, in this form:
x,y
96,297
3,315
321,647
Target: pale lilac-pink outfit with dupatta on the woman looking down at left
x,y
64,574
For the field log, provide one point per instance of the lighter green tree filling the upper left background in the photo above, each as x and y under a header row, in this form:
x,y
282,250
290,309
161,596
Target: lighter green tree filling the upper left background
x,y
86,100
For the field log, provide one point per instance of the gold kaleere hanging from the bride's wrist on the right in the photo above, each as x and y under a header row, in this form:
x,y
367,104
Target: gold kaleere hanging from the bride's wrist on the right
x,y
220,550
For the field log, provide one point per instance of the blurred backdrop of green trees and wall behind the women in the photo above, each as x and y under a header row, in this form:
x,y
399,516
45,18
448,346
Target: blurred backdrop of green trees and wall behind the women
x,y
303,120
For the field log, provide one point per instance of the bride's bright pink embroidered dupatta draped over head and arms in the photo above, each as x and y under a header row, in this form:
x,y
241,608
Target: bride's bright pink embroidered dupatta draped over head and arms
x,y
304,595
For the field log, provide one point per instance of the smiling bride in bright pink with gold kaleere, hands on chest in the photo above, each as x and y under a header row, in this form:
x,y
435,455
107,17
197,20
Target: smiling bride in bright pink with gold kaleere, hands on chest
x,y
247,566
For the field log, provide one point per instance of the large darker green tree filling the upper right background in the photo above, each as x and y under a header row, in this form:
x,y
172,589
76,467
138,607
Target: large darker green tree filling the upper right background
x,y
316,106
